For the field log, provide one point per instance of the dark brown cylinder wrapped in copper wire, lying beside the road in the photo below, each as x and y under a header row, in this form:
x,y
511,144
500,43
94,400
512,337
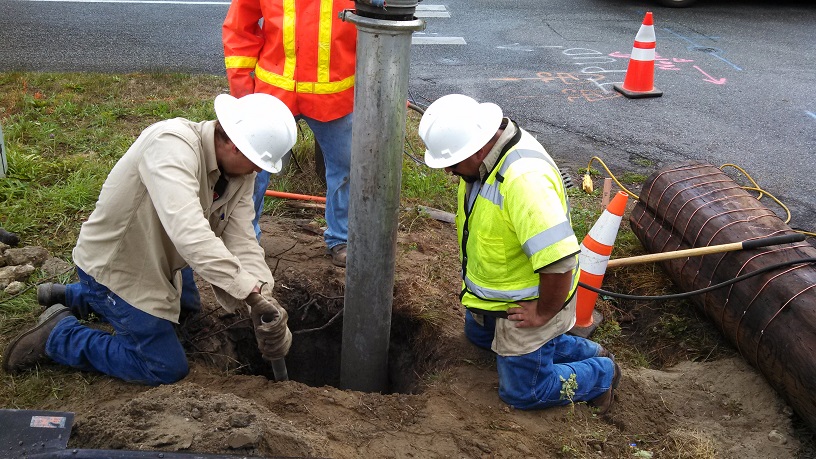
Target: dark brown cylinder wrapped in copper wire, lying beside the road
x,y
771,317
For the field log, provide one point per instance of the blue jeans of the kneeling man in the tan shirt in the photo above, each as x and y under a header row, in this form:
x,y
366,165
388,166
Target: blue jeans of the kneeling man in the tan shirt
x,y
143,348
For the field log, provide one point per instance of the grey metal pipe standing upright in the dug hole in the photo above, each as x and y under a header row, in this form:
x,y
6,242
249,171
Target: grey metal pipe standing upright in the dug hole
x,y
378,137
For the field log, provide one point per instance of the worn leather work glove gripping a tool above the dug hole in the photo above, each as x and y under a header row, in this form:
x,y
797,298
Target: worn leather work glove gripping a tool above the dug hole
x,y
271,332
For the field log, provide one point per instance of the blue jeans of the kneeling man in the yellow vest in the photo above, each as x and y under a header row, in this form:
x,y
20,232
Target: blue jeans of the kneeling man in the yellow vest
x,y
533,381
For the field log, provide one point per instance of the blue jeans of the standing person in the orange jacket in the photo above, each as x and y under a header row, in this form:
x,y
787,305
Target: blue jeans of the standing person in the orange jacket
x,y
334,138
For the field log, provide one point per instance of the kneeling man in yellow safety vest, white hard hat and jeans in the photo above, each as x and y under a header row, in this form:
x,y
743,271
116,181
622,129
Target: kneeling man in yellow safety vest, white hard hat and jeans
x,y
519,256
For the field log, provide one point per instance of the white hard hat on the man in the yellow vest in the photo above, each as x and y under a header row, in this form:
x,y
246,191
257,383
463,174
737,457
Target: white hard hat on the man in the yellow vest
x,y
455,127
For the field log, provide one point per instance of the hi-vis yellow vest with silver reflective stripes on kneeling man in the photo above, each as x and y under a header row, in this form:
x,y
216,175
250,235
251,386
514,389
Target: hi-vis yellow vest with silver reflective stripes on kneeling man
x,y
514,224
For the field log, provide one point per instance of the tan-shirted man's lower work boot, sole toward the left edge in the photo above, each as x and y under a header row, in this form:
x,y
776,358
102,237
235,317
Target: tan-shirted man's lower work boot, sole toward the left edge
x,y
29,348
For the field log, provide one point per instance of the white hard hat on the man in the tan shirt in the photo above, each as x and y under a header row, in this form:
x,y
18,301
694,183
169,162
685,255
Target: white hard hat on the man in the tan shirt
x,y
260,125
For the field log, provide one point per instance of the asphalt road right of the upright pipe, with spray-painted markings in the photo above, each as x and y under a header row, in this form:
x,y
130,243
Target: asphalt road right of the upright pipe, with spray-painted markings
x,y
737,78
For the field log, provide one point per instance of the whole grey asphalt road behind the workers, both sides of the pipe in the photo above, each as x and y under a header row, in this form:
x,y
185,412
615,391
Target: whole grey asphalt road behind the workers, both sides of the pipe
x,y
737,76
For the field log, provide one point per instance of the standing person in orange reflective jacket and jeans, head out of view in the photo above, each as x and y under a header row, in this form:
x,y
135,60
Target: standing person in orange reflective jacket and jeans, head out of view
x,y
301,52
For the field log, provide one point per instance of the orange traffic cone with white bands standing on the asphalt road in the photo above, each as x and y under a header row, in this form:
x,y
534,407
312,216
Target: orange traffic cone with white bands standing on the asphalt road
x,y
639,80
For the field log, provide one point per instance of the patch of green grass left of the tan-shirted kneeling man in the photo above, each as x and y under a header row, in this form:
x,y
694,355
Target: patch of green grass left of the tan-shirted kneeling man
x,y
64,132
